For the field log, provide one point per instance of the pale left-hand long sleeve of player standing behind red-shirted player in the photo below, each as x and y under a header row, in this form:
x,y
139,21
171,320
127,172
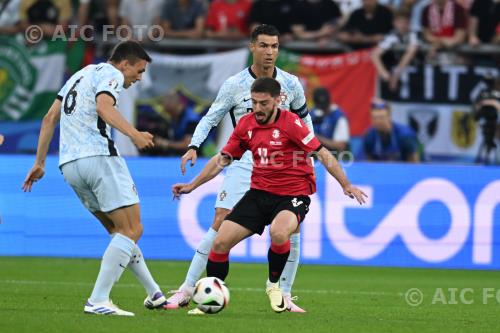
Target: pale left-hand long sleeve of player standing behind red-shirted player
x,y
222,104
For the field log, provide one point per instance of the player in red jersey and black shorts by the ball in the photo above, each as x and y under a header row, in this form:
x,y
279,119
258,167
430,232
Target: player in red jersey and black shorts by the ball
x,y
282,180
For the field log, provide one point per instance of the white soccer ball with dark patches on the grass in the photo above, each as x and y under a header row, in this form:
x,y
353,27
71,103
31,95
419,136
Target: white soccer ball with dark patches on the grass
x,y
211,295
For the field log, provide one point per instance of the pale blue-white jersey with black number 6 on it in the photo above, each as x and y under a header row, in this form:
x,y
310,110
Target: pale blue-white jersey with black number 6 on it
x,y
83,132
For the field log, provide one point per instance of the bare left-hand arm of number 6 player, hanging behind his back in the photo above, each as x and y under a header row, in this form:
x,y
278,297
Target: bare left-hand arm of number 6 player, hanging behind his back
x,y
49,123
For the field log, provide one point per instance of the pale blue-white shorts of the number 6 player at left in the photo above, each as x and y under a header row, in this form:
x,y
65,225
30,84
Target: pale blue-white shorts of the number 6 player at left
x,y
102,183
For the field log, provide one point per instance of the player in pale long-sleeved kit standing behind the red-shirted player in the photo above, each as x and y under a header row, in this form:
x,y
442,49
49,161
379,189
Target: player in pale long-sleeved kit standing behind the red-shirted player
x,y
234,98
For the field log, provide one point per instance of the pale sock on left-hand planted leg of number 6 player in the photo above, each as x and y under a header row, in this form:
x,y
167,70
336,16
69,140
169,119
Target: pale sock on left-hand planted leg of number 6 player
x,y
115,259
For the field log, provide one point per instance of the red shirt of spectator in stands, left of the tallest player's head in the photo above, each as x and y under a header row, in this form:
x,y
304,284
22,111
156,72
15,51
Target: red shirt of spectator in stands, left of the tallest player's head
x,y
222,15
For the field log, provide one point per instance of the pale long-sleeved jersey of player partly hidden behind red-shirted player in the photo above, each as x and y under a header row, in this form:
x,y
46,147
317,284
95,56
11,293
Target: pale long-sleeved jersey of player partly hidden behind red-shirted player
x,y
234,97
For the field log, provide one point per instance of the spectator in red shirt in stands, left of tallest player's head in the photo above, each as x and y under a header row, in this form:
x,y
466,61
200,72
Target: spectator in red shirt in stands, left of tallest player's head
x,y
228,19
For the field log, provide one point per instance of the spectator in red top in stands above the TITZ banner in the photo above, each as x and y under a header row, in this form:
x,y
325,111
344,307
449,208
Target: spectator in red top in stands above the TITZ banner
x,y
444,24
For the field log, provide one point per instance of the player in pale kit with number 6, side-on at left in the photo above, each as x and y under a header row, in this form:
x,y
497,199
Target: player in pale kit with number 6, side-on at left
x,y
91,165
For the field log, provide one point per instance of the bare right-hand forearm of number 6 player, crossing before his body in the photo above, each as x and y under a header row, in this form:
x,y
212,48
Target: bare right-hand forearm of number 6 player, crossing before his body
x,y
107,111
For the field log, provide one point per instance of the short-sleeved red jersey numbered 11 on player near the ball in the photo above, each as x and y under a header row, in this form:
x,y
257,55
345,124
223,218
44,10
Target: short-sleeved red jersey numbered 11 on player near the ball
x,y
280,150
